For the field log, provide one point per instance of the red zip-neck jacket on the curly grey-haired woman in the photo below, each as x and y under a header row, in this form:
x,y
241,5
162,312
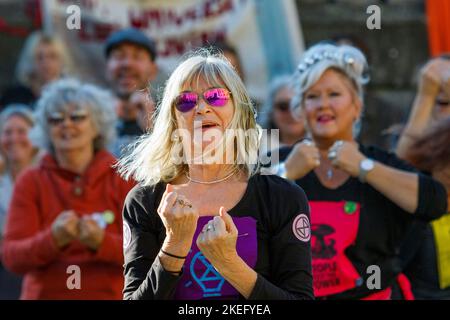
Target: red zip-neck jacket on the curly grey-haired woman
x,y
39,196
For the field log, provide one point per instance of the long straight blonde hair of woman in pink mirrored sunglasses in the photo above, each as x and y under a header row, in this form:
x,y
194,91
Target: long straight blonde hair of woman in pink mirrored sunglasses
x,y
150,160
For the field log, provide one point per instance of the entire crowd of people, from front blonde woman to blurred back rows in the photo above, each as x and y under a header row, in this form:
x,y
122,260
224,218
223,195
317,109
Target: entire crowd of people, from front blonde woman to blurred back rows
x,y
107,180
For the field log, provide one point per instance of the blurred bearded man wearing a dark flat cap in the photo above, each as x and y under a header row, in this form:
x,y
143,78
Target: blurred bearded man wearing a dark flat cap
x,y
130,69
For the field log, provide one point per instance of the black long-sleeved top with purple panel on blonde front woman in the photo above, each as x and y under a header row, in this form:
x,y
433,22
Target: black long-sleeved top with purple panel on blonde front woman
x,y
279,254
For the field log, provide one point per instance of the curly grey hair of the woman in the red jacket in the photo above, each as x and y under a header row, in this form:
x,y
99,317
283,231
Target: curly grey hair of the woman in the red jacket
x,y
60,95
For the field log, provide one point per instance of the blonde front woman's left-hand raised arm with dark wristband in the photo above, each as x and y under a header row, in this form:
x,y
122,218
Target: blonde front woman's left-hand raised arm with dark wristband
x,y
154,260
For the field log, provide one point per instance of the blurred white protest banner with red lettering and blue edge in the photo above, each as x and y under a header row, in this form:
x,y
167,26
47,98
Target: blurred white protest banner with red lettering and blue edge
x,y
265,33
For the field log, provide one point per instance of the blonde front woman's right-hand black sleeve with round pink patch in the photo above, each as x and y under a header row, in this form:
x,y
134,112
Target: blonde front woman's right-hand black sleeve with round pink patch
x,y
291,273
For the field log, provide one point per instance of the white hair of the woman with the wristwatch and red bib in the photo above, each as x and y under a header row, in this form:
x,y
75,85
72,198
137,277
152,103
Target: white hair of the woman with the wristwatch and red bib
x,y
346,59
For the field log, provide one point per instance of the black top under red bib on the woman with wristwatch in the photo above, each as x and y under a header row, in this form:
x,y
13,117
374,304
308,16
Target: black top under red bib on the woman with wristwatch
x,y
382,225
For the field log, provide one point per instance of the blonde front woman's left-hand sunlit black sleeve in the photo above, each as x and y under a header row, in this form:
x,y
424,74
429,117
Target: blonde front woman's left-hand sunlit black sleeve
x,y
145,278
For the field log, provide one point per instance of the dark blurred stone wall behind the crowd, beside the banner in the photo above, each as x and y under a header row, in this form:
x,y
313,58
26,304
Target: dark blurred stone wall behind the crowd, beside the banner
x,y
396,52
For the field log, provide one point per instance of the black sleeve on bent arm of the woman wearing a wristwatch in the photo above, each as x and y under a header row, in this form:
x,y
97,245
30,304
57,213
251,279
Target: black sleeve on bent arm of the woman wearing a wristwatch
x,y
432,196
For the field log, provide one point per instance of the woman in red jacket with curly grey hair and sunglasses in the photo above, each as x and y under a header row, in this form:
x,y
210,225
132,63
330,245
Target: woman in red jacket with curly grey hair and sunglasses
x,y
64,230
